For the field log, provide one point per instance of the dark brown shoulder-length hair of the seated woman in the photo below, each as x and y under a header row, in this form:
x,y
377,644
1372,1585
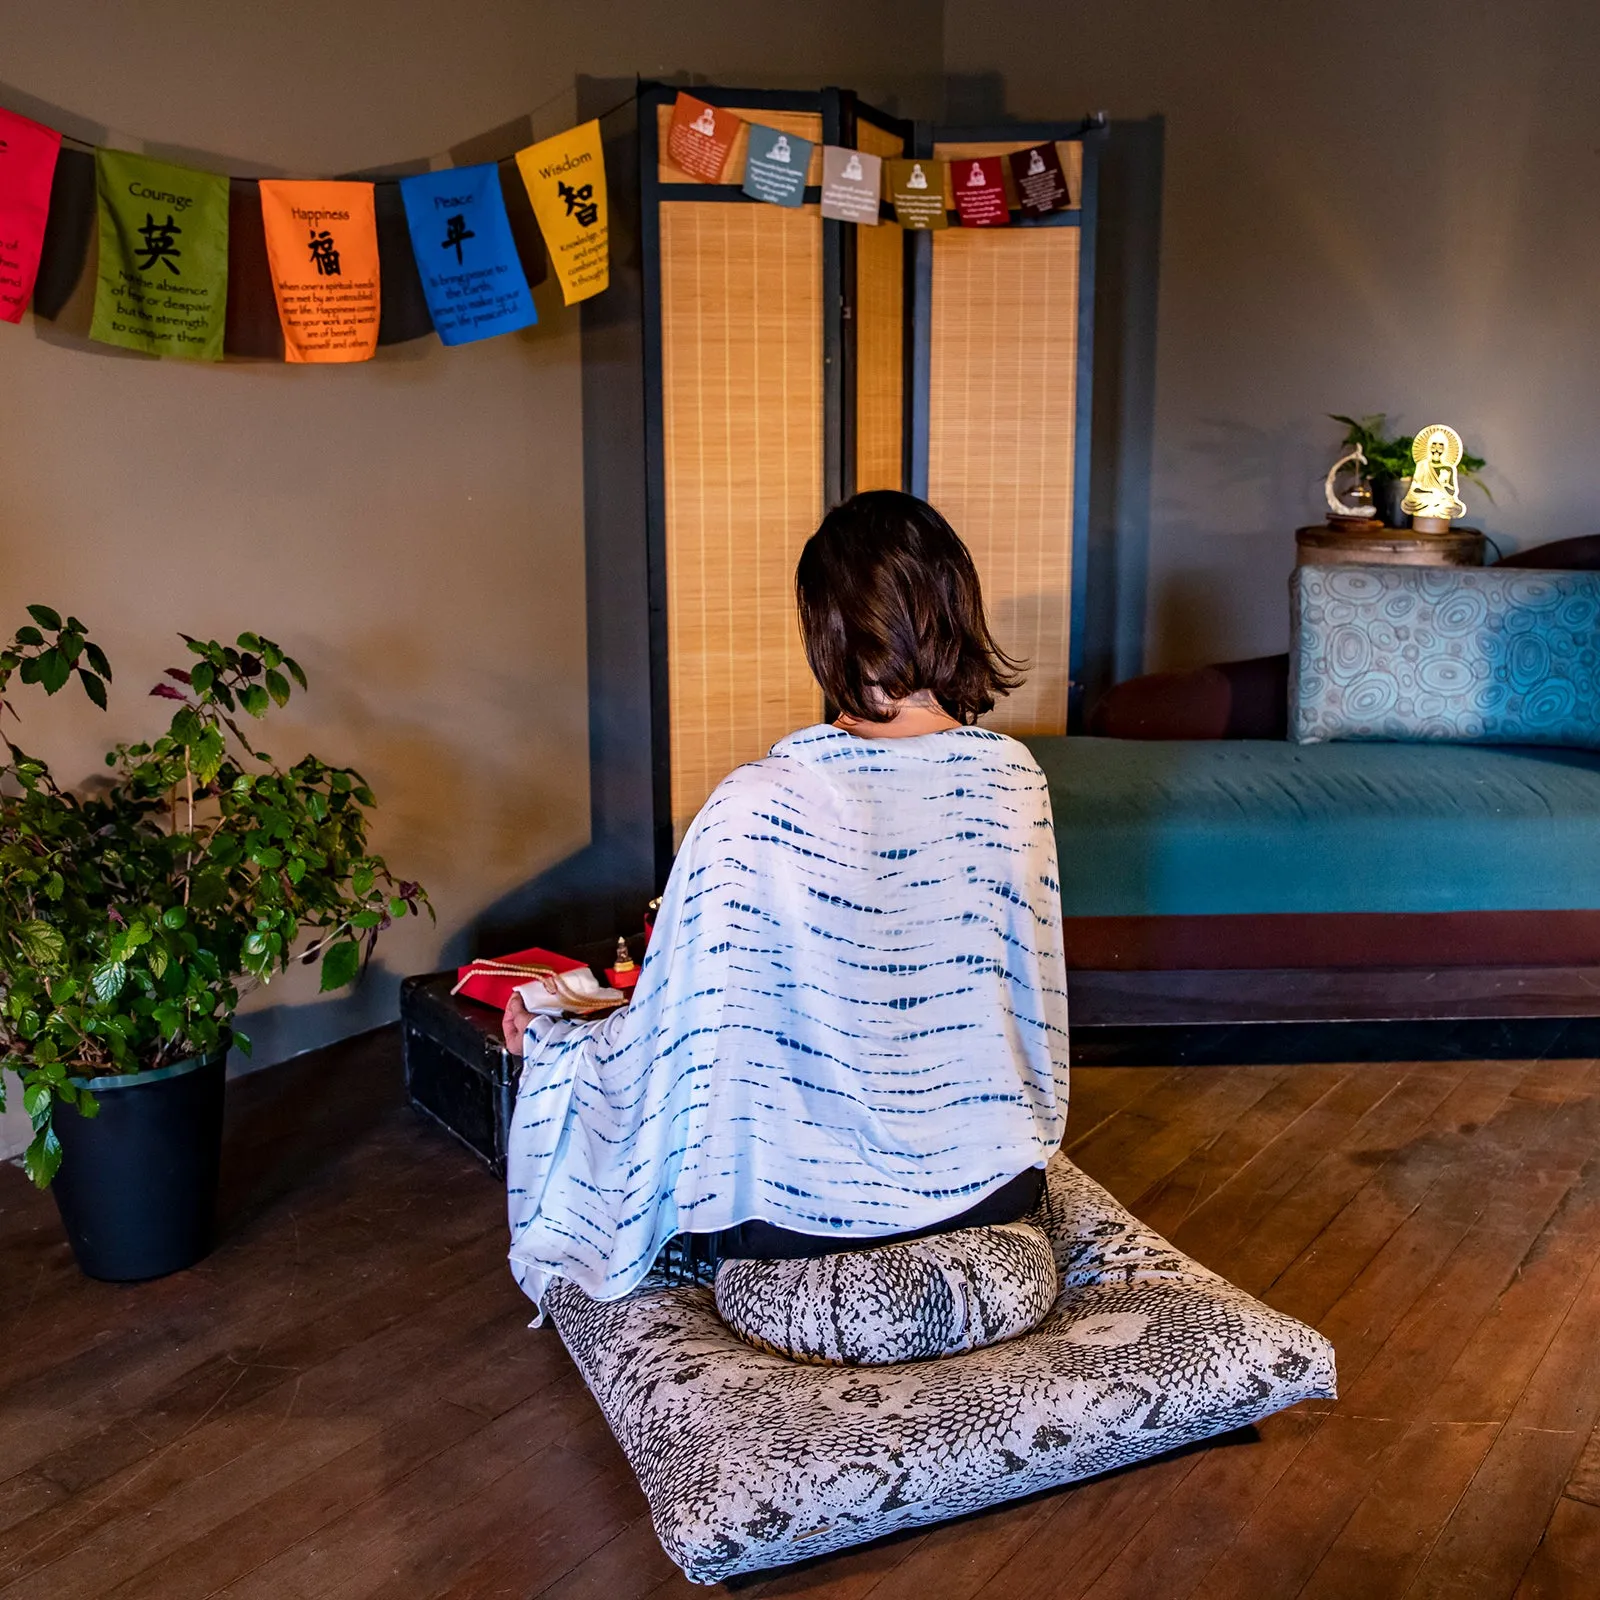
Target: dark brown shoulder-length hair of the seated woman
x,y
890,601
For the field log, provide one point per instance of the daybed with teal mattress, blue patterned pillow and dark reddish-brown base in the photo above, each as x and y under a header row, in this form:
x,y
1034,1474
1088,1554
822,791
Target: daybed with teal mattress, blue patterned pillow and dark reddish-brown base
x,y
1238,878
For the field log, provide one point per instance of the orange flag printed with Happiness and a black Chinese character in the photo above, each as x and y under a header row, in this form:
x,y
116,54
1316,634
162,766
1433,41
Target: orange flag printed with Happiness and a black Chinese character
x,y
322,247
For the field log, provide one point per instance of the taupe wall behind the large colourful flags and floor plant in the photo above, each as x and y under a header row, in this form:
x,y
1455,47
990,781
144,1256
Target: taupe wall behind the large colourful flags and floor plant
x,y
410,529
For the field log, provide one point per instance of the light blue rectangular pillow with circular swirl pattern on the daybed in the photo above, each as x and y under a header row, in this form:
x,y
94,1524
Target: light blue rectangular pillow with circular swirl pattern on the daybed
x,y
1465,654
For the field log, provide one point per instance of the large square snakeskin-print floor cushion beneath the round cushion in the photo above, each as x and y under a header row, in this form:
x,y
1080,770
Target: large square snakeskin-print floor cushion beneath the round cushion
x,y
750,1460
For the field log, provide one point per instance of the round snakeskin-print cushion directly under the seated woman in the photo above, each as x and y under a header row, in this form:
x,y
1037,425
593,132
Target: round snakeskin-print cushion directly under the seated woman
x,y
914,1302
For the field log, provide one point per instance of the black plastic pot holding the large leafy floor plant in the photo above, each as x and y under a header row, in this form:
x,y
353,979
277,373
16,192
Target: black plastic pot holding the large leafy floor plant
x,y
137,1186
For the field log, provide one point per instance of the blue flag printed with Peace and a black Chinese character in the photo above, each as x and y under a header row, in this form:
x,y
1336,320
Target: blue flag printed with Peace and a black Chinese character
x,y
466,255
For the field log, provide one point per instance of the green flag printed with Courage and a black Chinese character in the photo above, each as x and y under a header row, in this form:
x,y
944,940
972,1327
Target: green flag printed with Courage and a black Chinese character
x,y
162,258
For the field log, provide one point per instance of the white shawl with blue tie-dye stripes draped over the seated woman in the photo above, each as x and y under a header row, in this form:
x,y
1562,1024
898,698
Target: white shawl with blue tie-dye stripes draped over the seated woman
x,y
852,1020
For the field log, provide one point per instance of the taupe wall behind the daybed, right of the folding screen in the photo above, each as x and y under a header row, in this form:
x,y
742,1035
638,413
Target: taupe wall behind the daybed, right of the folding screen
x,y
1364,207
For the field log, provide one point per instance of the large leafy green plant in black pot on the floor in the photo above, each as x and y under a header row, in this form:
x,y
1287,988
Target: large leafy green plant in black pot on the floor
x,y
137,913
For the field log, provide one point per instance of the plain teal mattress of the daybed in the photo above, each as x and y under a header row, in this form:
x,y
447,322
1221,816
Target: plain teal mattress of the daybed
x,y
1252,826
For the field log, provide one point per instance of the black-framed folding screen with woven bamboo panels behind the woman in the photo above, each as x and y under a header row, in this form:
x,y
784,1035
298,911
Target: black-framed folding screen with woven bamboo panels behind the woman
x,y
793,361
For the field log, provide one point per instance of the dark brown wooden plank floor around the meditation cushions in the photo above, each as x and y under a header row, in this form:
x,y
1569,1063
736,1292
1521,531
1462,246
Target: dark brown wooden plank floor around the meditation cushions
x,y
345,1401
